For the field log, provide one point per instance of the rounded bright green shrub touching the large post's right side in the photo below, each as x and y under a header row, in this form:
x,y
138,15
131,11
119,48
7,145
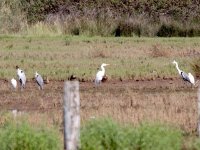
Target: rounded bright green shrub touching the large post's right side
x,y
105,134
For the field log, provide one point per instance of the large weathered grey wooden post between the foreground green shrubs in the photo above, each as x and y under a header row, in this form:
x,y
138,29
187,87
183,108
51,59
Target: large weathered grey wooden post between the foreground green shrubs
x,y
71,115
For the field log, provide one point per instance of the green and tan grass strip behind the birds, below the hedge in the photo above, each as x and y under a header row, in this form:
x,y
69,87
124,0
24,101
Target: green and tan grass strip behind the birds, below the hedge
x,y
130,58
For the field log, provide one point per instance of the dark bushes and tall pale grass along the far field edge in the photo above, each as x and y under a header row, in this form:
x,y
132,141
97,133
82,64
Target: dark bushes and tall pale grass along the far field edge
x,y
103,17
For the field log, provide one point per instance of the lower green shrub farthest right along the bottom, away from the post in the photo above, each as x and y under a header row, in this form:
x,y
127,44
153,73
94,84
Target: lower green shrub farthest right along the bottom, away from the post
x,y
157,137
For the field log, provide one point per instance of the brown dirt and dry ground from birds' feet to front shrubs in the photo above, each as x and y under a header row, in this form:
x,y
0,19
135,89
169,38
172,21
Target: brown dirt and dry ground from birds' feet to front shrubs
x,y
170,101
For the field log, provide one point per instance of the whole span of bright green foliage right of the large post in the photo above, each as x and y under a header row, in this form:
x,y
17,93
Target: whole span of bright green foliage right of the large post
x,y
107,134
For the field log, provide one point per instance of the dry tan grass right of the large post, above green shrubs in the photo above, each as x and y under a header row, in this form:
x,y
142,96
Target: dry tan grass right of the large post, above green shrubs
x,y
136,107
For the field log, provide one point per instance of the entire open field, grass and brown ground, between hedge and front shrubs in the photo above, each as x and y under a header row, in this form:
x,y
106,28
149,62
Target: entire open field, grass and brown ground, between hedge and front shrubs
x,y
143,84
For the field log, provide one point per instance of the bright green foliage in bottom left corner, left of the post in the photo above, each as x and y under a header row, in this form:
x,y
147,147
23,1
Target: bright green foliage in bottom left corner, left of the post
x,y
20,135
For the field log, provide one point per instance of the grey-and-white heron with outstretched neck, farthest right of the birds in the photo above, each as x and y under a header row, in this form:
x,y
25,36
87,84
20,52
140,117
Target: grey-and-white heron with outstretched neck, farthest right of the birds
x,y
186,77
